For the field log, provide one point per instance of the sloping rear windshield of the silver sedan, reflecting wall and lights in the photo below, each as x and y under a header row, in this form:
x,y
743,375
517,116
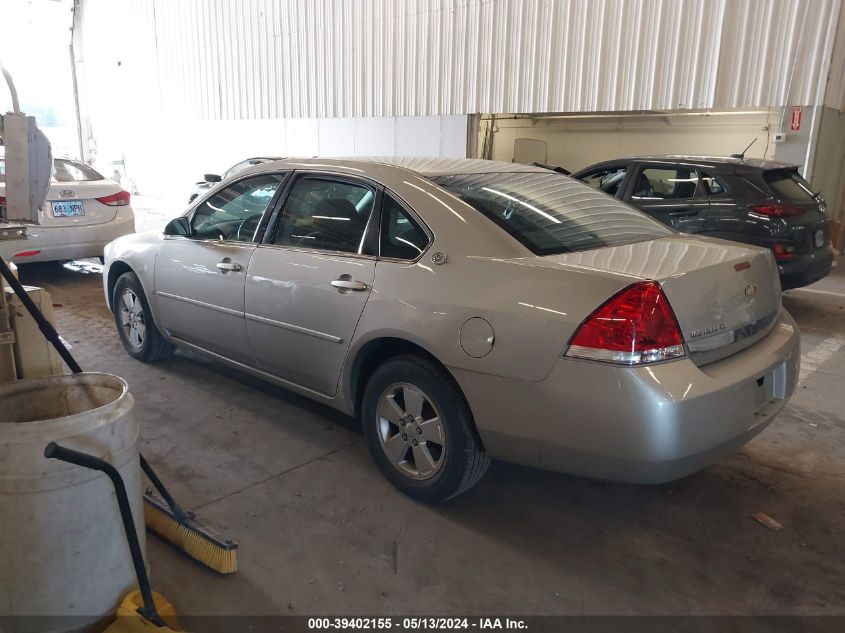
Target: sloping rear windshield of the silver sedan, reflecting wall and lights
x,y
551,213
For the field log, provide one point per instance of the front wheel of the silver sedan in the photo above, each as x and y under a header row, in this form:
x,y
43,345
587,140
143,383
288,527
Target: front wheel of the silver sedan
x,y
135,326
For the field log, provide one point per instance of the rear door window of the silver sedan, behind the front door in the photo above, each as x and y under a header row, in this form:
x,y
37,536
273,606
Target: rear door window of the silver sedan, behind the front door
x,y
325,214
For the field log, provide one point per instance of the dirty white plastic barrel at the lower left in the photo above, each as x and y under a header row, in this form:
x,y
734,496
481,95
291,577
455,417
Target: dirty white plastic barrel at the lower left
x,y
63,551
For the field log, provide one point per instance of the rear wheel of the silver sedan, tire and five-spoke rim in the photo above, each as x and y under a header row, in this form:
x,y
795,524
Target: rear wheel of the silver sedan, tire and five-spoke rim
x,y
419,430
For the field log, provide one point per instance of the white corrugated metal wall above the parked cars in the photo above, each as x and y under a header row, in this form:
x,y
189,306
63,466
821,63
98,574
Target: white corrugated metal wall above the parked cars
x,y
222,59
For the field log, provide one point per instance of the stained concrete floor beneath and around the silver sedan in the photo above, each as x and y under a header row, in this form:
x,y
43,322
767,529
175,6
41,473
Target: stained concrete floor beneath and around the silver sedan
x,y
321,532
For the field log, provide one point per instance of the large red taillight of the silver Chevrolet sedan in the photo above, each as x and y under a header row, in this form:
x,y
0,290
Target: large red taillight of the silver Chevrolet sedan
x,y
637,325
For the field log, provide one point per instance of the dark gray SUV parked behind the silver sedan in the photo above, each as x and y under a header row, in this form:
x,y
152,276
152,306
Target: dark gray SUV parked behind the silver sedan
x,y
745,200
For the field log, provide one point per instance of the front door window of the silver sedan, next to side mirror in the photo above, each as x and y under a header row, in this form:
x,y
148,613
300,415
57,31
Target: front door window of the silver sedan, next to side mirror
x,y
234,213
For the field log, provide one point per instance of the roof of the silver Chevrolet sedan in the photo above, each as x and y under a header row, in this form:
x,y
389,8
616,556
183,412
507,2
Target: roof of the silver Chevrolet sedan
x,y
422,166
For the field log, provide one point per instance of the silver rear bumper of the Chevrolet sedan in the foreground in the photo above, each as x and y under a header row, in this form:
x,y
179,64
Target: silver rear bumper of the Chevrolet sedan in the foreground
x,y
641,425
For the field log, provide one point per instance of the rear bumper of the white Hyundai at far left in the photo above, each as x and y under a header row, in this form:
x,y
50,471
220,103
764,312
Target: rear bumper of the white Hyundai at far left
x,y
60,243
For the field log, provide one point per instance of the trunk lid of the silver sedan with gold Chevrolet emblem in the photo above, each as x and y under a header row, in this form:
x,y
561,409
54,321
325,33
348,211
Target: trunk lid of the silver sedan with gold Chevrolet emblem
x,y
725,295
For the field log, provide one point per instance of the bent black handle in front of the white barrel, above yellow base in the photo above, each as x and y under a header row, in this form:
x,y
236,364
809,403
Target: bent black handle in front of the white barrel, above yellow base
x,y
54,451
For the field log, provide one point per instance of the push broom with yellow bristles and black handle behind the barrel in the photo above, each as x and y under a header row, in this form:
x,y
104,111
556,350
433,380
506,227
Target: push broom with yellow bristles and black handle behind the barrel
x,y
162,515
